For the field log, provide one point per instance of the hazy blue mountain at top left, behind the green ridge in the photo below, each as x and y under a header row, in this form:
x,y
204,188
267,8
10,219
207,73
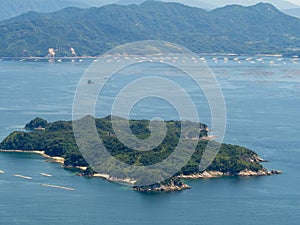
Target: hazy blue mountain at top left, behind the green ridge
x,y
12,8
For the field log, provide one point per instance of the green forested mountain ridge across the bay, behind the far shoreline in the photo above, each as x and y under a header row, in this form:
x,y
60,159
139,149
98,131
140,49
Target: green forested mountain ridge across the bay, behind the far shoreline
x,y
232,29
